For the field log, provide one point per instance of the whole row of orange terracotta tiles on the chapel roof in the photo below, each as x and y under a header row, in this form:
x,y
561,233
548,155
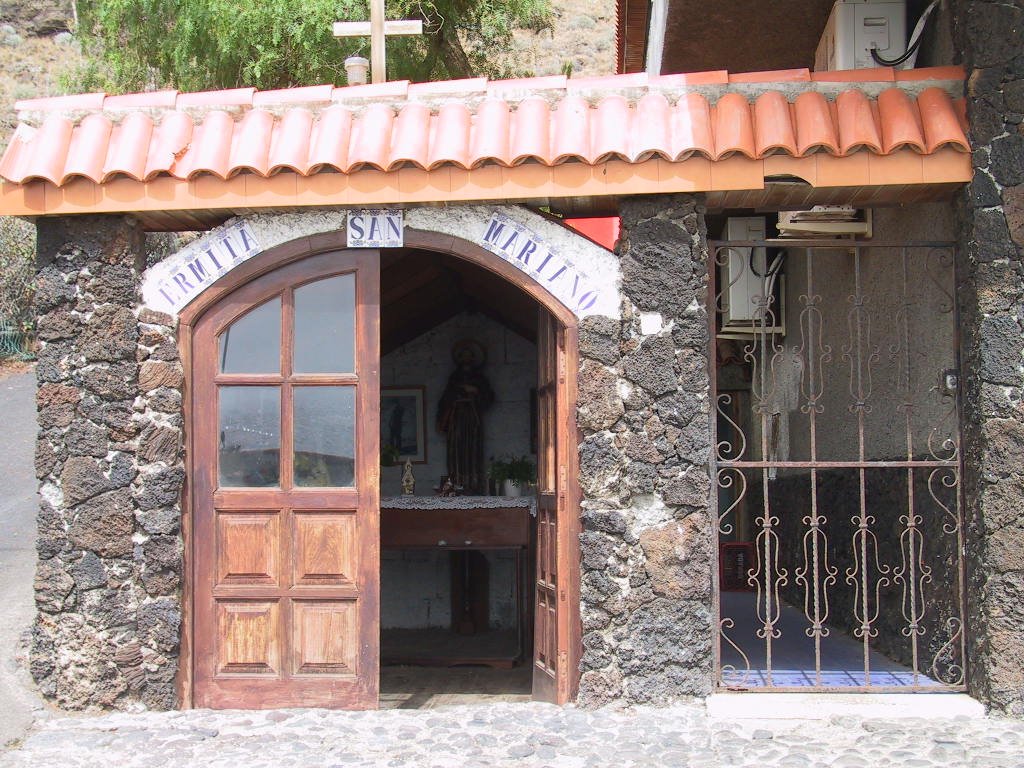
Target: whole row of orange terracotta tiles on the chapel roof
x,y
473,123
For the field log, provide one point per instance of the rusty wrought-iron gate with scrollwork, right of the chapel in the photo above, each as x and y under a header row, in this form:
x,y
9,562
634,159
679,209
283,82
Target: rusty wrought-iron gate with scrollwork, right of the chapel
x,y
838,466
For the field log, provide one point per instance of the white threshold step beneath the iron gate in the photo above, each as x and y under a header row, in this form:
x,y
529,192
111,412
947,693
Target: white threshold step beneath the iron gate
x,y
745,706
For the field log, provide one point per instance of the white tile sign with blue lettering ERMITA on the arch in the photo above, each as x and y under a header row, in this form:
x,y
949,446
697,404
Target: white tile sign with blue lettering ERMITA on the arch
x,y
170,285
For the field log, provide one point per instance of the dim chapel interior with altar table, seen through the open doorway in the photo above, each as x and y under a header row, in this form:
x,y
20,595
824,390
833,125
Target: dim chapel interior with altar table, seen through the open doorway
x,y
456,579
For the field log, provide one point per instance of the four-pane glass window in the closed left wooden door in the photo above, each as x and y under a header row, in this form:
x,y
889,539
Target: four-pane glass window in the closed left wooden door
x,y
290,452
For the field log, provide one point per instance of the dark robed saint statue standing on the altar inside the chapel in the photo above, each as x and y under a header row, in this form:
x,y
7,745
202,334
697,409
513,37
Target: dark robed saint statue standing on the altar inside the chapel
x,y
460,416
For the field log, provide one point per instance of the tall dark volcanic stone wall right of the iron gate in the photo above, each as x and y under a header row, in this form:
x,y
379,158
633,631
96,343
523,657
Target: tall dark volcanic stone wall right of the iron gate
x,y
992,305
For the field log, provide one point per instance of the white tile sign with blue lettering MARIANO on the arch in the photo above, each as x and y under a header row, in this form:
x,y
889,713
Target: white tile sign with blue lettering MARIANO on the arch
x,y
529,252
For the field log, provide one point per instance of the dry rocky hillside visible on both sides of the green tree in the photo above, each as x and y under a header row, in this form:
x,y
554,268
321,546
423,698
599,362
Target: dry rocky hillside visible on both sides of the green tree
x,y
36,48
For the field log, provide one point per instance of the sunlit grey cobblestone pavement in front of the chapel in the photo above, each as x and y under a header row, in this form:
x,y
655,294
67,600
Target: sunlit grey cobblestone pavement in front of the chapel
x,y
529,735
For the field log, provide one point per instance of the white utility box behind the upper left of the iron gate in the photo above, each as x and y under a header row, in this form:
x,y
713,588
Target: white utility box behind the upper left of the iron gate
x,y
747,277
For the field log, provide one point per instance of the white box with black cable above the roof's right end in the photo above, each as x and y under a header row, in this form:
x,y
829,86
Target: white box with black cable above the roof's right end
x,y
858,26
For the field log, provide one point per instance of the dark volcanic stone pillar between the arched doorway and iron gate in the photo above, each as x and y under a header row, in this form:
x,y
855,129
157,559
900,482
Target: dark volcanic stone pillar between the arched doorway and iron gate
x,y
645,411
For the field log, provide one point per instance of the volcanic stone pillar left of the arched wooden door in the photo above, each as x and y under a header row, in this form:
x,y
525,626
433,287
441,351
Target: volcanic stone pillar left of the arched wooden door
x,y
110,465
